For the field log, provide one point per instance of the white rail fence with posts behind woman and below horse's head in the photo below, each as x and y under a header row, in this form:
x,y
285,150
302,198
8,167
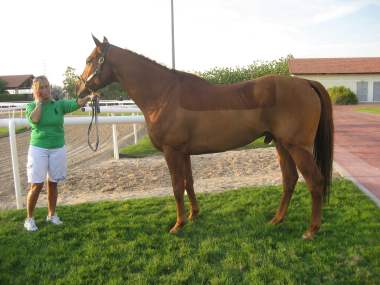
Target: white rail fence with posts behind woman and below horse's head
x,y
12,123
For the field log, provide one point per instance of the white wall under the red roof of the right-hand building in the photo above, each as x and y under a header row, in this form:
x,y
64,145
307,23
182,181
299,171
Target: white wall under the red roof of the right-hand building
x,y
348,81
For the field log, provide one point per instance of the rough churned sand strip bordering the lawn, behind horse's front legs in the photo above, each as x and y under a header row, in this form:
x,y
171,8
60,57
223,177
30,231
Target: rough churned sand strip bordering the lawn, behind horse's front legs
x,y
145,177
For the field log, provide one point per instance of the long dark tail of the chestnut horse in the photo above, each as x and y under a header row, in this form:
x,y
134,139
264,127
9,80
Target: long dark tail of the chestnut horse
x,y
324,140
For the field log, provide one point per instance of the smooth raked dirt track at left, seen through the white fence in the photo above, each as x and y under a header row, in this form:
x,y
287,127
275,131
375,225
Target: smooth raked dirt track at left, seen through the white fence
x,y
79,155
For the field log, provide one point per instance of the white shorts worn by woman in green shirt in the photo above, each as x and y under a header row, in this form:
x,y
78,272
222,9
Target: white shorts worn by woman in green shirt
x,y
46,163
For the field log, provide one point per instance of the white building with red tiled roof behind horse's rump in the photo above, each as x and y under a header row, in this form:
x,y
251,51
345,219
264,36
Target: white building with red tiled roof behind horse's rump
x,y
361,75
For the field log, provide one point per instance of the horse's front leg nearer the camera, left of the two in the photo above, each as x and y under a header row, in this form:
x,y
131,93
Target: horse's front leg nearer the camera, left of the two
x,y
176,164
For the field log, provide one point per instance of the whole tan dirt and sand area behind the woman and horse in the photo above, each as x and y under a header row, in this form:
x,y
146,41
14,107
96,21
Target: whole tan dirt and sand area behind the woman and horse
x,y
93,177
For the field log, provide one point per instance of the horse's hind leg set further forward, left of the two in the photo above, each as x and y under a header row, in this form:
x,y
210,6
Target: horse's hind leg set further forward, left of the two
x,y
289,180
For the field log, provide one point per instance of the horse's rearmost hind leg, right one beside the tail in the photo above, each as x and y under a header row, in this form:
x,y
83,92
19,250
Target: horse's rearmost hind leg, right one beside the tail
x,y
306,164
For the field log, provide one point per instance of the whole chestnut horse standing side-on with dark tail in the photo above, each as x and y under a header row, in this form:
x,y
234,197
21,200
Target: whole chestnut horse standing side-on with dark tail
x,y
187,115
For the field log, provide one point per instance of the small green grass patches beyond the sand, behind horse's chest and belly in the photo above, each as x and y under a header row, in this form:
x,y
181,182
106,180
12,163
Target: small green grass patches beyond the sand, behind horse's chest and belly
x,y
145,148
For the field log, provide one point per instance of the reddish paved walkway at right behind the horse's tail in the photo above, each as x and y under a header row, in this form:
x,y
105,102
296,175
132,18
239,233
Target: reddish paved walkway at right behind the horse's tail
x,y
357,148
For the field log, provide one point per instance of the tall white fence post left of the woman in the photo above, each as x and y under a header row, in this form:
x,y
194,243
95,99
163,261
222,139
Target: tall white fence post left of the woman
x,y
16,173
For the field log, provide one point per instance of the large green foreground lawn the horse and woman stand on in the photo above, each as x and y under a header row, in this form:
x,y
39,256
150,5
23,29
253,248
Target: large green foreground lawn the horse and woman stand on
x,y
231,242
